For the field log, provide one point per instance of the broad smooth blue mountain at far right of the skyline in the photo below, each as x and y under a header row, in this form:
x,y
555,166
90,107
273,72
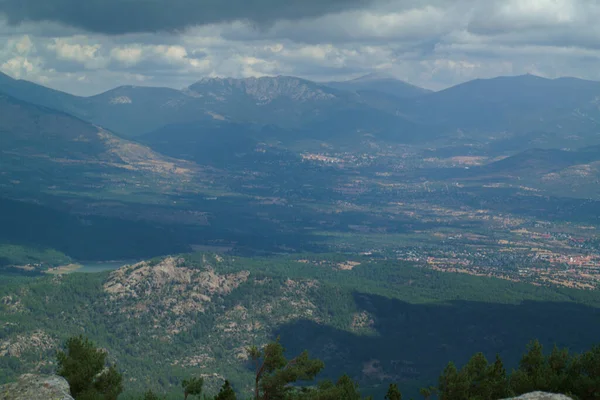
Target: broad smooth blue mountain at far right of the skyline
x,y
516,103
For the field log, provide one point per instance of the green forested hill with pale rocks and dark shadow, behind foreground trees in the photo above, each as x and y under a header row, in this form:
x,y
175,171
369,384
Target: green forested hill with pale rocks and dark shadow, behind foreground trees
x,y
377,321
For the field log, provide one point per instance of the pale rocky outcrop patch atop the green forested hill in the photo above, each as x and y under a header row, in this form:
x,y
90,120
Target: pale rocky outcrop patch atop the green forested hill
x,y
174,292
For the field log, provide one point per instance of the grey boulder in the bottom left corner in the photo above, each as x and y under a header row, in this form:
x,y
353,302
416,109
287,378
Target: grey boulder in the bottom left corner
x,y
36,387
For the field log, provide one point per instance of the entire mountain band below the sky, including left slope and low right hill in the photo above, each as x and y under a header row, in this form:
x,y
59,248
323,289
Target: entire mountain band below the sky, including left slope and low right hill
x,y
215,120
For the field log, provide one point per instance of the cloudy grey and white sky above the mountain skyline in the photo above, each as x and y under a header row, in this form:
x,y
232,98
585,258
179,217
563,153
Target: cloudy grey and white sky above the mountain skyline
x,y
86,47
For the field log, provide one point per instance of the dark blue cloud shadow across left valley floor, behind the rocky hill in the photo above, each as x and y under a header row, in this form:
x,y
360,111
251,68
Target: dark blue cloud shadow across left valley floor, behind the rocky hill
x,y
95,237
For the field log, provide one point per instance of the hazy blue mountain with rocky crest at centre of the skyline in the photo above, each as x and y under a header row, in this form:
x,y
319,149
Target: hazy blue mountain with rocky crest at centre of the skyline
x,y
294,108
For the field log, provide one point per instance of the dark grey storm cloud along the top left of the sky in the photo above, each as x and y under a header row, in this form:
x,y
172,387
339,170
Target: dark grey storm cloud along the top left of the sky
x,y
135,16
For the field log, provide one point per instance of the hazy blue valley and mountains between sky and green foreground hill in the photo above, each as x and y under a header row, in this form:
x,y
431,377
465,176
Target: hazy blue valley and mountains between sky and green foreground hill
x,y
285,165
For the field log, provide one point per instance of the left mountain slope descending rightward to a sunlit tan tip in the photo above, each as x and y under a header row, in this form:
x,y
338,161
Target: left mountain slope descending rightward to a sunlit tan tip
x,y
52,140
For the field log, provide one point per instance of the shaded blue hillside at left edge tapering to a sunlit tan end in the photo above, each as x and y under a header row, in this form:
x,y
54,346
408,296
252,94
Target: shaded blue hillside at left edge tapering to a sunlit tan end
x,y
45,150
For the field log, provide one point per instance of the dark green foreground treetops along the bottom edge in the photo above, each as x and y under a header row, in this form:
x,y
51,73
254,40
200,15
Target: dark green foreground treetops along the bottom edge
x,y
278,378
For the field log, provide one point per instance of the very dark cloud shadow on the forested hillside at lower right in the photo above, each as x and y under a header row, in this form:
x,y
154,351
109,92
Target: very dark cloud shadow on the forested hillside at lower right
x,y
412,343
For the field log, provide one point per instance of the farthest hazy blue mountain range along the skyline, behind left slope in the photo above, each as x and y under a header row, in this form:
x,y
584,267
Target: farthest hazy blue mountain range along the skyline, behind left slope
x,y
375,104
